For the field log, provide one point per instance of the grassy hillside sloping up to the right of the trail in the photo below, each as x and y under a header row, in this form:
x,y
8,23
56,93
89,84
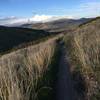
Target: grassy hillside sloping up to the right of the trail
x,y
83,49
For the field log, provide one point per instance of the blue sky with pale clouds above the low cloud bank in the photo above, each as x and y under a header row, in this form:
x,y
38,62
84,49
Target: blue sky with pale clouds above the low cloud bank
x,y
44,9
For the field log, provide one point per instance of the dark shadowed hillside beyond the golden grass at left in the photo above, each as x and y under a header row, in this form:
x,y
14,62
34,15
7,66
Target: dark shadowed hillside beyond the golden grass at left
x,y
12,37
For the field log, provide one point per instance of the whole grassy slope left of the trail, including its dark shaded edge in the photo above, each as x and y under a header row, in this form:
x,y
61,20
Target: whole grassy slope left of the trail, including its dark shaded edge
x,y
29,73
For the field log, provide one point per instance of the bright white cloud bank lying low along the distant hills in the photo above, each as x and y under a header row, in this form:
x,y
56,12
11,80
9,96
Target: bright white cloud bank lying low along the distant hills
x,y
13,21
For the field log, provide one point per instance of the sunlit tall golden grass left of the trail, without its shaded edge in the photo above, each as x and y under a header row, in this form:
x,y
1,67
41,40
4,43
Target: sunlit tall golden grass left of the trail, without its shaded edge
x,y
21,70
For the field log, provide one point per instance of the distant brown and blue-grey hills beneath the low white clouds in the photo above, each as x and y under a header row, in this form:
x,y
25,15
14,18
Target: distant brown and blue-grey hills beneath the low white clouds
x,y
57,25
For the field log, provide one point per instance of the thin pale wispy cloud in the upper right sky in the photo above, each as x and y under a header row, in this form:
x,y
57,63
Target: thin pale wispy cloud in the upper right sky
x,y
86,8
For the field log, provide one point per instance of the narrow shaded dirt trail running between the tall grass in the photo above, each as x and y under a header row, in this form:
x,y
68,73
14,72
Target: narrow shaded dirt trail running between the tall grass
x,y
65,89
